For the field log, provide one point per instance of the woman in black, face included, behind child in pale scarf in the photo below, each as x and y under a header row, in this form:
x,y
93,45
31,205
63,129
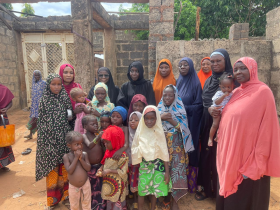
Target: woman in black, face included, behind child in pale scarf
x,y
105,76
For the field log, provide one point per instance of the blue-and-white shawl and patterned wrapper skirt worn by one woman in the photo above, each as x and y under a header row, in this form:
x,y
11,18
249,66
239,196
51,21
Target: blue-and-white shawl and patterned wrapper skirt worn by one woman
x,y
176,144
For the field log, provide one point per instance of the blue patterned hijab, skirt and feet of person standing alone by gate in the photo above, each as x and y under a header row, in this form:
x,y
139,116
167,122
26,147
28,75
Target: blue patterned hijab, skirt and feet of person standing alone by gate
x,y
36,94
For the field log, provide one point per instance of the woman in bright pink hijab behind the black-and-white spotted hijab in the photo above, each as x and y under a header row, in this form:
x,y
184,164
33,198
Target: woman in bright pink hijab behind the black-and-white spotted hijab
x,y
67,73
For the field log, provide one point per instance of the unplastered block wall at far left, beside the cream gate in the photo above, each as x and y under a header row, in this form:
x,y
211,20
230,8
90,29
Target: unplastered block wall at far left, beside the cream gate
x,y
9,65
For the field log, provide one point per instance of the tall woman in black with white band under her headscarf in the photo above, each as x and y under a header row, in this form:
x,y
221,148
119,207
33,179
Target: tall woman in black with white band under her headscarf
x,y
207,174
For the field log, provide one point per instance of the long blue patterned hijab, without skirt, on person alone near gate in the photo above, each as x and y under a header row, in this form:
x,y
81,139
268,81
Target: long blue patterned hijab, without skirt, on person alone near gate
x,y
36,93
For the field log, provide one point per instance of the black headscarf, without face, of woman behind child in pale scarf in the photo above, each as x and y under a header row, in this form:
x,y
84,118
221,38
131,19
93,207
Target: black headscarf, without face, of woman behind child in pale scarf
x,y
113,90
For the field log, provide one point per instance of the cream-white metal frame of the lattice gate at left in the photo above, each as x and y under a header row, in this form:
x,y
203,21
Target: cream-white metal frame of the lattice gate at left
x,y
43,38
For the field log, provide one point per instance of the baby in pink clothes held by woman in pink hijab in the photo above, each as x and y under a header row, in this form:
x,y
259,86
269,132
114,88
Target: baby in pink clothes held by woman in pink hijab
x,y
78,95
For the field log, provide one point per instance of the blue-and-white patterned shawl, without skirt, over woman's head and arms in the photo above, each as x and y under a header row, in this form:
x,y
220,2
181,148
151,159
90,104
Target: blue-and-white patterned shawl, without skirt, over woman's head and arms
x,y
179,114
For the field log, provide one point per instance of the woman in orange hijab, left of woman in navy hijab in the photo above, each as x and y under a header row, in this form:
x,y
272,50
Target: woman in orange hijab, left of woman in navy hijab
x,y
164,76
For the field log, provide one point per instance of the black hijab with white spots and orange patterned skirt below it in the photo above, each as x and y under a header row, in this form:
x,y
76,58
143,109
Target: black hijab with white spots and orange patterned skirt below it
x,y
51,146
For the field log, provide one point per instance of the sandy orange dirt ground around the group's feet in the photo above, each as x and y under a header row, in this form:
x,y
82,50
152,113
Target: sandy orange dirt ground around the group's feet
x,y
22,177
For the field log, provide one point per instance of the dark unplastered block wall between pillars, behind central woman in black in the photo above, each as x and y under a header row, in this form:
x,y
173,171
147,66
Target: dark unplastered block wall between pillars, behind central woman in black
x,y
127,52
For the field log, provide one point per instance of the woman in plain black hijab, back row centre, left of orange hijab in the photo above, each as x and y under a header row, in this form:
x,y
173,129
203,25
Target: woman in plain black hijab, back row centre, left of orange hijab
x,y
136,85
